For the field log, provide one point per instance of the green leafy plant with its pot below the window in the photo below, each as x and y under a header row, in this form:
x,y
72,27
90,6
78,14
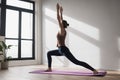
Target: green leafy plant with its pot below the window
x,y
3,49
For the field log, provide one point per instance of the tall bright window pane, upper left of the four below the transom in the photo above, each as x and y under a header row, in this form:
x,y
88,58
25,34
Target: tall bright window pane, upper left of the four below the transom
x,y
12,23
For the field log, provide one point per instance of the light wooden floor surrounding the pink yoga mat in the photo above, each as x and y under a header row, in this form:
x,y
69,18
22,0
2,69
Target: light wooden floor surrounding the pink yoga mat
x,y
22,73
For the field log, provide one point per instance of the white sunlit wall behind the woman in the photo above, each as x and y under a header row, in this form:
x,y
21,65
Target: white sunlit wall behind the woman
x,y
94,31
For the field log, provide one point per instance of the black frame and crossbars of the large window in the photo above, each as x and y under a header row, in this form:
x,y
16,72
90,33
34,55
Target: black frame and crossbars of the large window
x,y
20,10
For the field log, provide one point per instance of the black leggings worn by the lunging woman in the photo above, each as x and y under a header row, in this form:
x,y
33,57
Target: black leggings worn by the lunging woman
x,y
64,51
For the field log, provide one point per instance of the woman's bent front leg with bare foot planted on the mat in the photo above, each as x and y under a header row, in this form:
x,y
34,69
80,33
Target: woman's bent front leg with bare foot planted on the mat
x,y
49,57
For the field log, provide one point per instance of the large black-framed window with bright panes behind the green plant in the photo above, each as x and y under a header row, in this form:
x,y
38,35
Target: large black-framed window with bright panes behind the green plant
x,y
19,29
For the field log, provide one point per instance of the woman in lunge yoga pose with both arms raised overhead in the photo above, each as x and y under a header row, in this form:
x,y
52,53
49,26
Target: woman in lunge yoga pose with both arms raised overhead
x,y
62,49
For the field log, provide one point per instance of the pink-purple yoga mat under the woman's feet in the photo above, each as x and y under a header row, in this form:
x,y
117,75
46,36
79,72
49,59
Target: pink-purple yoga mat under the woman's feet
x,y
76,73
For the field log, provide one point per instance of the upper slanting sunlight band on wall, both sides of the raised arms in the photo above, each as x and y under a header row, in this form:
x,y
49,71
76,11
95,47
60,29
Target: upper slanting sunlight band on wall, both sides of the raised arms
x,y
84,28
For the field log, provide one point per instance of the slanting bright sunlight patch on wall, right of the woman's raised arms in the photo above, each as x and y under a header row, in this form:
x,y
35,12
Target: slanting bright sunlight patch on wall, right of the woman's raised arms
x,y
84,28
